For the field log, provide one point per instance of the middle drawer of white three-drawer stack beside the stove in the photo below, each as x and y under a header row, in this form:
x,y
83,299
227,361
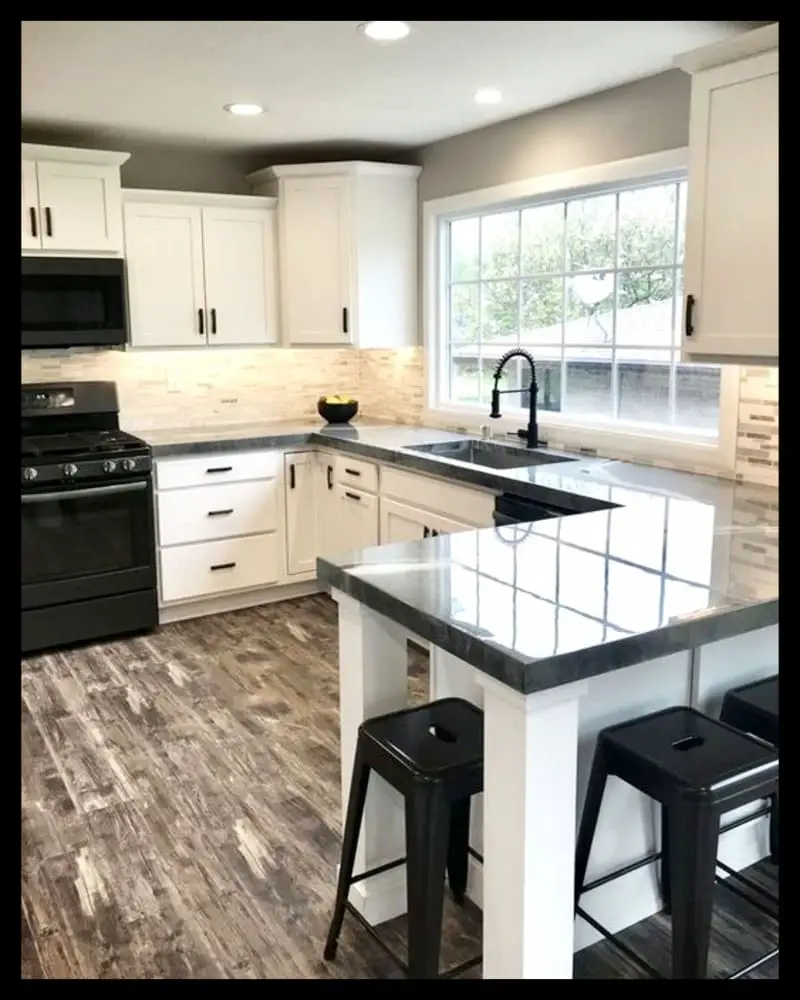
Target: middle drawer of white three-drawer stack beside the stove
x,y
202,513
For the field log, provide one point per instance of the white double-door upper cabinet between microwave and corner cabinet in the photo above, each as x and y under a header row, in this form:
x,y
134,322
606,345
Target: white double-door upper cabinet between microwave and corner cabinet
x,y
201,269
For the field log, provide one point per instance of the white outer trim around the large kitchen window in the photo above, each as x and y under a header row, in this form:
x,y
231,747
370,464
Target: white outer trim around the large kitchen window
x,y
670,444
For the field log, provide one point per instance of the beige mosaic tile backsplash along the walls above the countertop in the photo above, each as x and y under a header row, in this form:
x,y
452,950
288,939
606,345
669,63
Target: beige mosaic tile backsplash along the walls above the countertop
x,y
193,387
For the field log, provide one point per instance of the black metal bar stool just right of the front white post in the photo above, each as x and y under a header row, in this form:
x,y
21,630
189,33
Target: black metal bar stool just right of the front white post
x,y
697,769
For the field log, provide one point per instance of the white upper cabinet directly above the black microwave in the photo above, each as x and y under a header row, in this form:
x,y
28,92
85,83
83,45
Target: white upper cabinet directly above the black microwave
x,y
71,201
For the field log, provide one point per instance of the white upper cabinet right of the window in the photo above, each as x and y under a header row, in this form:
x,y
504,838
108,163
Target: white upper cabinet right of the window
x,y
731,258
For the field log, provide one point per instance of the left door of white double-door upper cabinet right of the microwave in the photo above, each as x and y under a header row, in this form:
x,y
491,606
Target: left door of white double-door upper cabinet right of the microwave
x,y
164,250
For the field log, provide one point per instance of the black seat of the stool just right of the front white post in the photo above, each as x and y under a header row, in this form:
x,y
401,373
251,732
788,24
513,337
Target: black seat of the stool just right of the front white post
x,y
689,752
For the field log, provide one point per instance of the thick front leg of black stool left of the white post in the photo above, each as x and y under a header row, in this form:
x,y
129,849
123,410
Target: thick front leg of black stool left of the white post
x,y
427,836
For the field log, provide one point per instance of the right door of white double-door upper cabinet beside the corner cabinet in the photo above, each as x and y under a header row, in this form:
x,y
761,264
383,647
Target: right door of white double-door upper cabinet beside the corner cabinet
x,y
239,275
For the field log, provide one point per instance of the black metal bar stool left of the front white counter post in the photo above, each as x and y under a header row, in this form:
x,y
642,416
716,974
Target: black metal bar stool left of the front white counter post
x,y
433,756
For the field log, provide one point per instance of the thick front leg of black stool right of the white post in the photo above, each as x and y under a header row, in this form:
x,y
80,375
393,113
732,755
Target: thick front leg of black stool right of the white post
x,y
693,838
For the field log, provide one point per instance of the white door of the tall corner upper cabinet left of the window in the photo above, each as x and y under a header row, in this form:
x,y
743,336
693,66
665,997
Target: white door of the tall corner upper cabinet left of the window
x,y
316,260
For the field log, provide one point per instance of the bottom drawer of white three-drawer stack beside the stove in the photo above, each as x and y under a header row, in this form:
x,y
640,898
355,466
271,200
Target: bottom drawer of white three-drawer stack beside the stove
x,y
195,571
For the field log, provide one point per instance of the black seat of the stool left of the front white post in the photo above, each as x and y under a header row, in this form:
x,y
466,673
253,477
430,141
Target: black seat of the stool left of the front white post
x,y
431,740
